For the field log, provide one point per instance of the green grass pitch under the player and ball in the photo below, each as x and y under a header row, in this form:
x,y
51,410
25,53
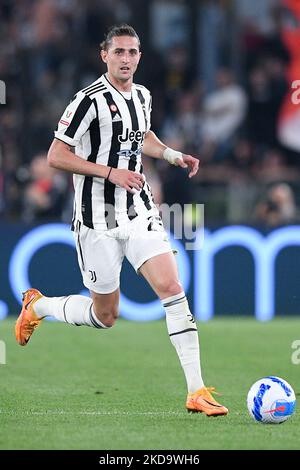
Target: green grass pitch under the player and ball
x,y
81,388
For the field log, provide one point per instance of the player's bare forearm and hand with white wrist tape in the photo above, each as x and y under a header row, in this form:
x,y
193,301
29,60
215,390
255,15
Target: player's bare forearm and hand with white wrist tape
x,y
154,147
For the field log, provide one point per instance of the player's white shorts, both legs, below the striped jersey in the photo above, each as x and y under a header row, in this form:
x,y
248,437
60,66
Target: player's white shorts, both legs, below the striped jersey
x,y
101,253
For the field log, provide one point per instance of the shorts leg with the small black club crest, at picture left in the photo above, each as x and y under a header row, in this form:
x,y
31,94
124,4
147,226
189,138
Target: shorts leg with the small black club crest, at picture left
x,y
100,260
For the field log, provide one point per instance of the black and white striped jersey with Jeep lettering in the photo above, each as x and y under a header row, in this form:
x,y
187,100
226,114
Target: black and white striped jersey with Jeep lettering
x,y
107,128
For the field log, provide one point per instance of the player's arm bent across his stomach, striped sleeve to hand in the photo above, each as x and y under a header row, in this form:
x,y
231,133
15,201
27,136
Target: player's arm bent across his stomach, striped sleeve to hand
x,y
72,126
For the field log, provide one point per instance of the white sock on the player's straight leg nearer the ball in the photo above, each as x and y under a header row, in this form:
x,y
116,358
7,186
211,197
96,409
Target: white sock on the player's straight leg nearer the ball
x,y
183,333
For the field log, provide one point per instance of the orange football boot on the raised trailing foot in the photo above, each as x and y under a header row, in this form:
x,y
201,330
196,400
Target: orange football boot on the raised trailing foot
x,y
27,321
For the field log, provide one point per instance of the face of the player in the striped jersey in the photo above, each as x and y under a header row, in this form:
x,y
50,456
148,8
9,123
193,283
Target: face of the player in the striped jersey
x,y
122,58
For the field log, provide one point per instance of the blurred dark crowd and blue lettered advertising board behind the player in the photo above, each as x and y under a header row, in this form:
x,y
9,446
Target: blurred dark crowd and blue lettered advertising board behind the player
x,y
221,75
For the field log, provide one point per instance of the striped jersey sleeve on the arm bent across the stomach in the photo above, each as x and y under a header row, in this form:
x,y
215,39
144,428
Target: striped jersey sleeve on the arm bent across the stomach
x,y
75,120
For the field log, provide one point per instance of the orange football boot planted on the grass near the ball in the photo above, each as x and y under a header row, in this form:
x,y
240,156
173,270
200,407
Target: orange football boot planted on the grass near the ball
x,y
203,401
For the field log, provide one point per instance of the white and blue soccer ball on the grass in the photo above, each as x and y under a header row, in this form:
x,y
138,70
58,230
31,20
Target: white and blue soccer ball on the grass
x,y
271,400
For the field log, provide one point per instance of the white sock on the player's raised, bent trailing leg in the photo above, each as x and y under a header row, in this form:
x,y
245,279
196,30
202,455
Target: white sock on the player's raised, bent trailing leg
x,y
74,309
